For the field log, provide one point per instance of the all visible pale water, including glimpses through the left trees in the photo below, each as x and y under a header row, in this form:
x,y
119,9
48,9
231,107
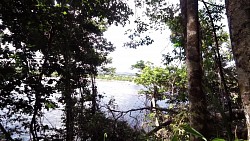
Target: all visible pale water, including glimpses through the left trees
x,y
126,97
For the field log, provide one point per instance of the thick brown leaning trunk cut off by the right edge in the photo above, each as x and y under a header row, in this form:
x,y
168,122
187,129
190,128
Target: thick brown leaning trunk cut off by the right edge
x,y
238,13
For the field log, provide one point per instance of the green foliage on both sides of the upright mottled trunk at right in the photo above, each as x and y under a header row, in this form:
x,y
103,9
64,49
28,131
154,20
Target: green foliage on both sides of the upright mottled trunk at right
x,y
219,81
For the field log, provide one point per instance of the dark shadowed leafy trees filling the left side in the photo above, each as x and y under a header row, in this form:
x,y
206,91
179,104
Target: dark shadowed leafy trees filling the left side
x,y
68,35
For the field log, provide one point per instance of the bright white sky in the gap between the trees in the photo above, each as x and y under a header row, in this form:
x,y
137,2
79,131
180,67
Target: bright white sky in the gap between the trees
x,y
124,57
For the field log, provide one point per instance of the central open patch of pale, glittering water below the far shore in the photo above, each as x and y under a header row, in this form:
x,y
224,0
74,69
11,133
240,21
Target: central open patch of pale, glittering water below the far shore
x,y
126,97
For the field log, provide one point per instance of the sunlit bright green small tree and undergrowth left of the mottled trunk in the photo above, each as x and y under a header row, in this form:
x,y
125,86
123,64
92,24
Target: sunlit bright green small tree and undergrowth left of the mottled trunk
x,y
166,85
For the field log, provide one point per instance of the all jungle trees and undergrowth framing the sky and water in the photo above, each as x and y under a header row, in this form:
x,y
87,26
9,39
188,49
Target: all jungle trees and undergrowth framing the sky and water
x,y
205,81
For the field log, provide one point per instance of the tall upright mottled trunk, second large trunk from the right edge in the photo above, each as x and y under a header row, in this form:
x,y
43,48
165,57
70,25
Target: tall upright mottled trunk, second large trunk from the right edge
x,y
196,96
